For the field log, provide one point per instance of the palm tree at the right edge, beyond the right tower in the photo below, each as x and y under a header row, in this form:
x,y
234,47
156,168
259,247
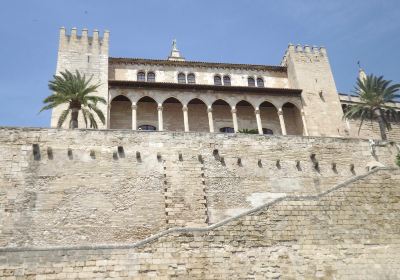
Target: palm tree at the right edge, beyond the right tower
x,y
374,93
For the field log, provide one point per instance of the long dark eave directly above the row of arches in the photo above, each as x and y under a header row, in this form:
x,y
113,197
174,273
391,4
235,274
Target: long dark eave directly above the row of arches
x,y
231,89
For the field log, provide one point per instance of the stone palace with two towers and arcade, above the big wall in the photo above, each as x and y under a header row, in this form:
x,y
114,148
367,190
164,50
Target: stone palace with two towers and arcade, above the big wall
x,y
298,97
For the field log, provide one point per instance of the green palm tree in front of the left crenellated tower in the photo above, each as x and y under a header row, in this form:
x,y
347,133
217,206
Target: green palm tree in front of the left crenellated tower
x,y
74,90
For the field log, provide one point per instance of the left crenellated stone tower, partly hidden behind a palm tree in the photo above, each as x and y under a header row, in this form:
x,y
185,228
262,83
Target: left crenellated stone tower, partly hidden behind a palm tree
x,y
89,55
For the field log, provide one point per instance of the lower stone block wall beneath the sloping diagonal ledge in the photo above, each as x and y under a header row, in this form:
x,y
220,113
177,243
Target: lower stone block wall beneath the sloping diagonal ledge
x,y
347,232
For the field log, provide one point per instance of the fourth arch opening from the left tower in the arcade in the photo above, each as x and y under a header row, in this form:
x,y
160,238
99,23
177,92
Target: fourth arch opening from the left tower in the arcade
x,y
197,115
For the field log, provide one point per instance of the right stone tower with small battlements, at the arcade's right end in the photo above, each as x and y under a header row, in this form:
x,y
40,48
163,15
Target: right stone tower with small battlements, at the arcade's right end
x,y
308,69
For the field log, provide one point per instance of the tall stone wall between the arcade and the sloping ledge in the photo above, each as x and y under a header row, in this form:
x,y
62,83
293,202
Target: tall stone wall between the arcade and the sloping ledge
x,y
81,187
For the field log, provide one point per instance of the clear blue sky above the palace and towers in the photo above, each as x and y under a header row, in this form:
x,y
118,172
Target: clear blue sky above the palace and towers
x,y
241,31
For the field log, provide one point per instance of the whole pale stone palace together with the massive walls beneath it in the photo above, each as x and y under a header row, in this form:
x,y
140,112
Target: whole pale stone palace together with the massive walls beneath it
x,y
167,188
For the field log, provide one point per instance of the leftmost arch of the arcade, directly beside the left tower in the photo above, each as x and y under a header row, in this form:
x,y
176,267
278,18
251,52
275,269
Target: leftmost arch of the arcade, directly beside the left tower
x,y
121,113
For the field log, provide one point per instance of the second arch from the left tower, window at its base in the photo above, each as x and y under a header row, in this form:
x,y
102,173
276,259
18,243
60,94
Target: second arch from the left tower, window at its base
x,y
147,112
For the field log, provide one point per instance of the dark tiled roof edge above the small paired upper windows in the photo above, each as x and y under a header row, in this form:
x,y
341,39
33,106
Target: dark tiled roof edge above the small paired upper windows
x,y
123,60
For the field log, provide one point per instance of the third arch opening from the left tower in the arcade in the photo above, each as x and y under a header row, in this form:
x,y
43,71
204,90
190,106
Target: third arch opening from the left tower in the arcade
x,y
172,114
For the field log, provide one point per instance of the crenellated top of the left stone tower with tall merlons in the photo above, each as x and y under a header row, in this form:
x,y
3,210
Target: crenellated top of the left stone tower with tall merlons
x,y
75,41
